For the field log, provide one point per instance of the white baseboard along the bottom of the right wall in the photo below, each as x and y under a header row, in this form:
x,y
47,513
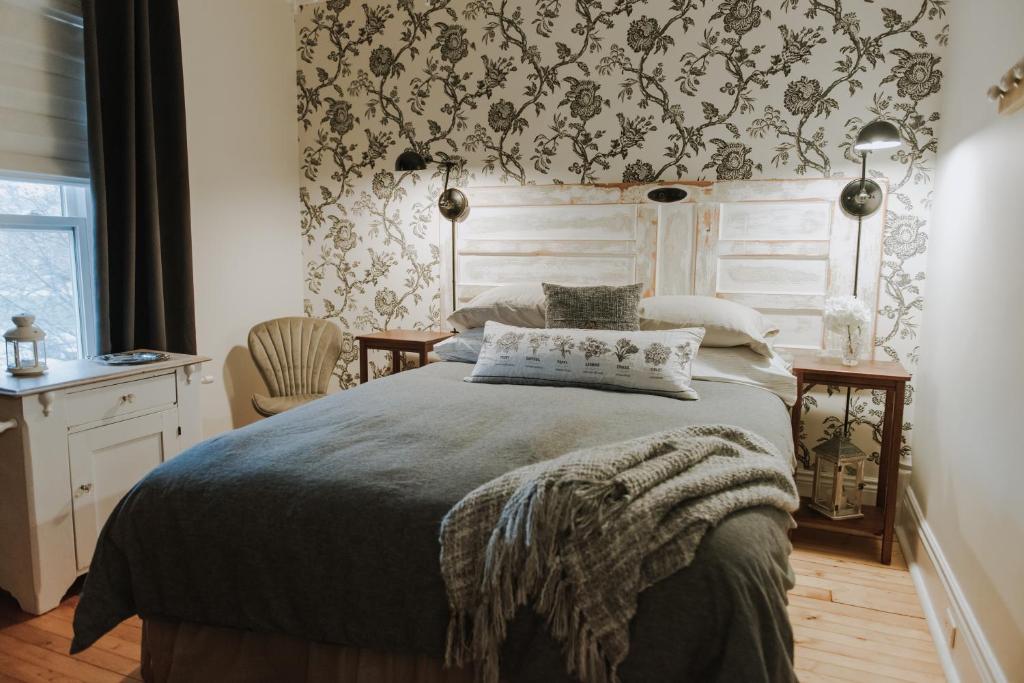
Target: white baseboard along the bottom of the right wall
x,y
969,658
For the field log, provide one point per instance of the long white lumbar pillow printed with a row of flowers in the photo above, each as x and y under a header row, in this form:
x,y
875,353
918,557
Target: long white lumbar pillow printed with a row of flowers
x,y
658,363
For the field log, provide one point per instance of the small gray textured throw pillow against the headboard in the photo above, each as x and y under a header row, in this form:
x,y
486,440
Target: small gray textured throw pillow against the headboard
x,y
592,308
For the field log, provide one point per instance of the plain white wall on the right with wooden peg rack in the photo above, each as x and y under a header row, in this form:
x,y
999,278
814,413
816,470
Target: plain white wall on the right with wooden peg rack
x,y
969,464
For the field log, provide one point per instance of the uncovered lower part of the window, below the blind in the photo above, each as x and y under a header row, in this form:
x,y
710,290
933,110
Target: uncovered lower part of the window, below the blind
x,y
47,265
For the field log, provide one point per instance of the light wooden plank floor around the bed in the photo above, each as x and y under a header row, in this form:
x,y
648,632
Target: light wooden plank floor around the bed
x,y
855,620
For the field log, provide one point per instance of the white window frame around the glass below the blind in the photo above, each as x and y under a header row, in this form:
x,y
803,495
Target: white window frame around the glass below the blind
x,y
81,227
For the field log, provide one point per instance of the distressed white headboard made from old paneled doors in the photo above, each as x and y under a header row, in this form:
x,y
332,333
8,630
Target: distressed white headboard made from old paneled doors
x,y
779,246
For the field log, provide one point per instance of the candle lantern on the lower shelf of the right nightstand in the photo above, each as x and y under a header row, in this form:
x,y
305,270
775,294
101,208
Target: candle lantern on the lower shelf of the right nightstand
x,y
839,479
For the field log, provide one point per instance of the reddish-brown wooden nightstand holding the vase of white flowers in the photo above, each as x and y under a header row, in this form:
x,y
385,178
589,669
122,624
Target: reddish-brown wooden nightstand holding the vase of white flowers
x,y
885,376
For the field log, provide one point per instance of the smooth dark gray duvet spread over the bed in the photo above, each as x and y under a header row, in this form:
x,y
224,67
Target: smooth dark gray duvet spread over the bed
x,y
323,524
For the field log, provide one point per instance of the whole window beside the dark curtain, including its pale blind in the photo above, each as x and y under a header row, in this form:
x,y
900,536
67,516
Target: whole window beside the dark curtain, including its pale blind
x,y
47,261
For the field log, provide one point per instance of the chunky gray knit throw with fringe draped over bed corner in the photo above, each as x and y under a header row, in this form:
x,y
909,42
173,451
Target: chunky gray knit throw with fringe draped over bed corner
x,y
580,537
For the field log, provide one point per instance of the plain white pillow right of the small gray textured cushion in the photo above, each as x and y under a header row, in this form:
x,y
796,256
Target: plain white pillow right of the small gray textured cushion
x,y
726,323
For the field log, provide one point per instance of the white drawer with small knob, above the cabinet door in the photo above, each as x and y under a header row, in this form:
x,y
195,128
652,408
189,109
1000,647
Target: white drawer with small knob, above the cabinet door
x,y
123,399
